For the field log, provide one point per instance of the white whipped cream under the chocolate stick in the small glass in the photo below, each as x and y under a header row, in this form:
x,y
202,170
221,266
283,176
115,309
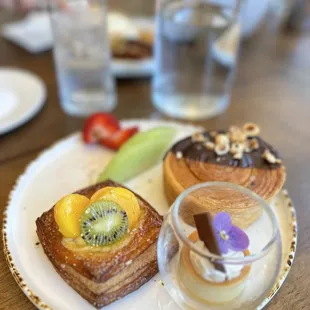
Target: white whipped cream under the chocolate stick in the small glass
x,y
206,269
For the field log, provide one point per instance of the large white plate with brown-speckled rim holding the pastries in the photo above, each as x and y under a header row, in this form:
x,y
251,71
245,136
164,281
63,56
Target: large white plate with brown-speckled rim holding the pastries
x,y
66,167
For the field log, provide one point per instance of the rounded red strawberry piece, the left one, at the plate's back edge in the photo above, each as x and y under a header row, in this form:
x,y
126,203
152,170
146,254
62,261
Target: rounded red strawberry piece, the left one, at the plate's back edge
x,y
99,126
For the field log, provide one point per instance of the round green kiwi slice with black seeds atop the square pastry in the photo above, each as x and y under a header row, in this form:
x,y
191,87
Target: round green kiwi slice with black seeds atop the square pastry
x,y
103,223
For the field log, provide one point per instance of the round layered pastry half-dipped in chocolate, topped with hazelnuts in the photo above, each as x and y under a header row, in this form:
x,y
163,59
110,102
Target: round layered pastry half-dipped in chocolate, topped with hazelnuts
x,y
238,156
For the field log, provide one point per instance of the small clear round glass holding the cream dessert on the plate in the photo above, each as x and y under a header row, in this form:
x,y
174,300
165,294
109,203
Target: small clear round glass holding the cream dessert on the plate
x,y
187,269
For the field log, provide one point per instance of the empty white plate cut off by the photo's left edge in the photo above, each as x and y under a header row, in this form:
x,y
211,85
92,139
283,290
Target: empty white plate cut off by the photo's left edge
x,y
22,95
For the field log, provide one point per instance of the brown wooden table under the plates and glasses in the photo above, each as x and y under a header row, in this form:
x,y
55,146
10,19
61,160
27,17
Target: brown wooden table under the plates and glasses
x,y
272,89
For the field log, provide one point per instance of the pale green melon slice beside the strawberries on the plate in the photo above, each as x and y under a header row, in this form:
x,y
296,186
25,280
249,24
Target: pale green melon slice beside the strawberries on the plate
x,y
144,150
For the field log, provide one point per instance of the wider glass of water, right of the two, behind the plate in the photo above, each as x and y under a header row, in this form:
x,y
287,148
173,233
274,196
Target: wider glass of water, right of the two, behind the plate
x,y
195,56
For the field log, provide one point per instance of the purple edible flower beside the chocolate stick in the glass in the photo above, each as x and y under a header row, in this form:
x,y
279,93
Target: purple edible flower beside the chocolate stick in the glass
x,y
229,237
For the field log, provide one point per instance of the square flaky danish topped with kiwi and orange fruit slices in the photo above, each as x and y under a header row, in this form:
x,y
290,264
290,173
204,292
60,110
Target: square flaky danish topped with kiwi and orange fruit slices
x,y
102,241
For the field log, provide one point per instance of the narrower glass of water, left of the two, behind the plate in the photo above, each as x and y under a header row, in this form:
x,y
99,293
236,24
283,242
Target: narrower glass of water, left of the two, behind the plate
x,y
82,56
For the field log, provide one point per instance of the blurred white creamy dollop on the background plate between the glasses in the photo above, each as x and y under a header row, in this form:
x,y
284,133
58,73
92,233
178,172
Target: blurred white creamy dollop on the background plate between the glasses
x,y
120,25
